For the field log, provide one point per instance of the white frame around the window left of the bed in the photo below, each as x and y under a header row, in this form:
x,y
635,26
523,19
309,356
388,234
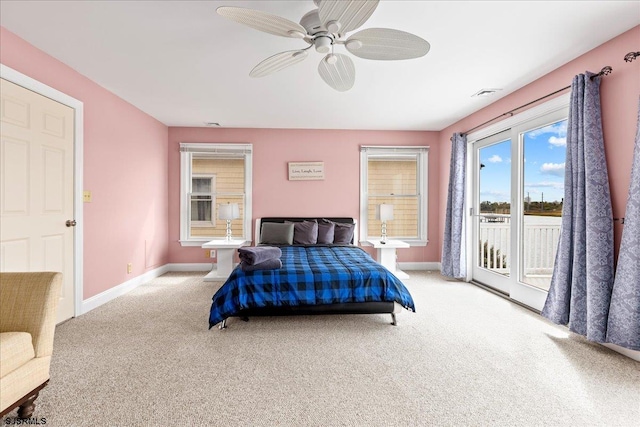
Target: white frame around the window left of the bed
x,y
187,152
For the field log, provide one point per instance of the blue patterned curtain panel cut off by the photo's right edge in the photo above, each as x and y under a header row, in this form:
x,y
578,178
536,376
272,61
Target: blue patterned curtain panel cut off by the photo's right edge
x,y
624,314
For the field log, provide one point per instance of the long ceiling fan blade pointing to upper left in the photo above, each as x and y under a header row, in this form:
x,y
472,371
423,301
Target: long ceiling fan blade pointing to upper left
x,y
263,21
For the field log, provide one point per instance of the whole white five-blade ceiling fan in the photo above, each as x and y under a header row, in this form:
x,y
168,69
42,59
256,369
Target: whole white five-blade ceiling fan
x,y
325,27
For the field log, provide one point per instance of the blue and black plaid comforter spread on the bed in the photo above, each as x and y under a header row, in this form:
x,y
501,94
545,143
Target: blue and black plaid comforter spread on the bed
x,y
310,275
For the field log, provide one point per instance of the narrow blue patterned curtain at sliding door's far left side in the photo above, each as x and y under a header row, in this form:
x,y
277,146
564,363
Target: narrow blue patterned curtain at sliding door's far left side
x,y
453,248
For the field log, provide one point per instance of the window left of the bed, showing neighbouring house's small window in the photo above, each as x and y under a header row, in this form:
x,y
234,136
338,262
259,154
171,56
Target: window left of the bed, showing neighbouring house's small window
x,y
214,174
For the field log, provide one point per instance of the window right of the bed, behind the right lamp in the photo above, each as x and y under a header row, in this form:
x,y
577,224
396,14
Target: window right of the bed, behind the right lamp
x,y
396,176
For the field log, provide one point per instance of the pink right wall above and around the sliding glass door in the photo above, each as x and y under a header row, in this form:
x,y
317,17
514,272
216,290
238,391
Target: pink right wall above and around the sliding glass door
x,y
619,96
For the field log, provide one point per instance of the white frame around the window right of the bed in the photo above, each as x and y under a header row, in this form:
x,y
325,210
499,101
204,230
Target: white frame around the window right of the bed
x,y
422,155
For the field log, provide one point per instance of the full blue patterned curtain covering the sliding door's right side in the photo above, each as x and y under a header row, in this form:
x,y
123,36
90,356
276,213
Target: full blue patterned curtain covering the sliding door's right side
x,y
582,280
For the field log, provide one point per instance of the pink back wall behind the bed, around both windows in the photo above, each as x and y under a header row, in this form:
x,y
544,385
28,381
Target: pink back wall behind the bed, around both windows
x,y
275,195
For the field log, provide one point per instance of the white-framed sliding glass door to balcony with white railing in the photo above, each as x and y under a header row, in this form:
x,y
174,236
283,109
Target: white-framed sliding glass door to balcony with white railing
x,y
518,179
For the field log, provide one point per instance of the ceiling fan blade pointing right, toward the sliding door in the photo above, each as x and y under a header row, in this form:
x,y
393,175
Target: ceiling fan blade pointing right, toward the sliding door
x,y
386,44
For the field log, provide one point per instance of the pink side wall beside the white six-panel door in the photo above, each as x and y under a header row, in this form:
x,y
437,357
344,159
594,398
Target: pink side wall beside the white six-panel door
x,y
125,168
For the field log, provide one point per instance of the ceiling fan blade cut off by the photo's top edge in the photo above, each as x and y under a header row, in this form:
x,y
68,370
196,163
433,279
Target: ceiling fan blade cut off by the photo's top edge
x,y
349,14
